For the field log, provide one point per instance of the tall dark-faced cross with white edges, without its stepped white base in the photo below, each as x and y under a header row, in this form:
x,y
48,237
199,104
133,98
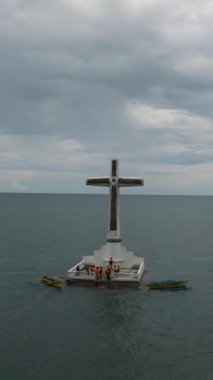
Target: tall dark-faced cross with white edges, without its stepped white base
x,y
114,182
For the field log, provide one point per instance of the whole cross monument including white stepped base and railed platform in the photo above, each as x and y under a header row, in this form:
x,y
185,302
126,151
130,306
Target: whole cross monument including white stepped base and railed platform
x,y
113,257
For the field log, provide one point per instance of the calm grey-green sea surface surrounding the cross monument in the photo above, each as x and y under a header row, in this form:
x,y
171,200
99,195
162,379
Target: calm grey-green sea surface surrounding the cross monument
x,y
83,333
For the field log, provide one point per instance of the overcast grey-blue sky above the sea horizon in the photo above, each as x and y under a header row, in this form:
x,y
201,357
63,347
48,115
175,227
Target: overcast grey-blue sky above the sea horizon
x,y
85,81
